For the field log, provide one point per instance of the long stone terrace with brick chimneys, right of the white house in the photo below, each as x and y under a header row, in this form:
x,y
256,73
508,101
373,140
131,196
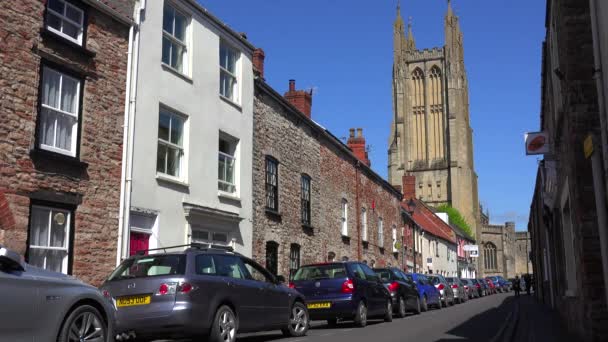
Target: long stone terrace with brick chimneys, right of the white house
x,y
314,200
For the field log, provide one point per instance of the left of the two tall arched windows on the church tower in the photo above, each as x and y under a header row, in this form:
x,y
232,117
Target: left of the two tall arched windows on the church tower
x,y
418,125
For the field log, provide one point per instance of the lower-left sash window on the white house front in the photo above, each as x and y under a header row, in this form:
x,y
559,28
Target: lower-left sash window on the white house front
x,y
170,153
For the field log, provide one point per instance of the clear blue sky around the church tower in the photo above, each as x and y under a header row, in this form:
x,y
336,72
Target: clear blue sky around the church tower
x,y
343,49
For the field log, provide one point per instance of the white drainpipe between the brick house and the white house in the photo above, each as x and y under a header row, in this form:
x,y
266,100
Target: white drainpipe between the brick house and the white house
x,y
129,128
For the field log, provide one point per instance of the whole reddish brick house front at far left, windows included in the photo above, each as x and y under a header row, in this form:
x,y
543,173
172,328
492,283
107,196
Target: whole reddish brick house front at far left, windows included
x,y
63,68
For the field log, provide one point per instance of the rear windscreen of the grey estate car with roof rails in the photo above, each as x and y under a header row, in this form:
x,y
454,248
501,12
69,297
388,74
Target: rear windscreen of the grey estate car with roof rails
x,y
149,266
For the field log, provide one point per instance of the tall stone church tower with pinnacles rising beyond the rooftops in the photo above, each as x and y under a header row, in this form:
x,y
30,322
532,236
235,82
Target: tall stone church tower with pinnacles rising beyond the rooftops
x,y
431,137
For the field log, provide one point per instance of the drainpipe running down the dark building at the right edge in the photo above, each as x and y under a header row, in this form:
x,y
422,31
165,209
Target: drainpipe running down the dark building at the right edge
x,y
596,162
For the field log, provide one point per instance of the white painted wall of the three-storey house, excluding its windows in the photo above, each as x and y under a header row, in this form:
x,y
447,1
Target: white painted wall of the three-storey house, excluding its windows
x,y
196,96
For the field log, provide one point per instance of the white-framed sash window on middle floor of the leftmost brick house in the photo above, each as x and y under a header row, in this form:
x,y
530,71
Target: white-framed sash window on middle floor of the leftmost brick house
x,y
58,123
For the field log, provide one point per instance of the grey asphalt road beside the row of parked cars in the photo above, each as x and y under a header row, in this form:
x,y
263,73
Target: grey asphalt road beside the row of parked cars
x,y
476,320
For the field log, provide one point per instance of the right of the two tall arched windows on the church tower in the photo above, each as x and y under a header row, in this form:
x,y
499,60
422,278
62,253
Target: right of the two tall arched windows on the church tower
x,y
436,125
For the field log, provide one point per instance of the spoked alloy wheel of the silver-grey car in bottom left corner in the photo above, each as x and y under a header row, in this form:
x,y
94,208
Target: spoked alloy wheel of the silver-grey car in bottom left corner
x,y
84,324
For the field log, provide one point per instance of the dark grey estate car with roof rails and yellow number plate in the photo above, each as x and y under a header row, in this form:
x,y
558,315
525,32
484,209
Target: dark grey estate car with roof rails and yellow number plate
x,y
203,291
